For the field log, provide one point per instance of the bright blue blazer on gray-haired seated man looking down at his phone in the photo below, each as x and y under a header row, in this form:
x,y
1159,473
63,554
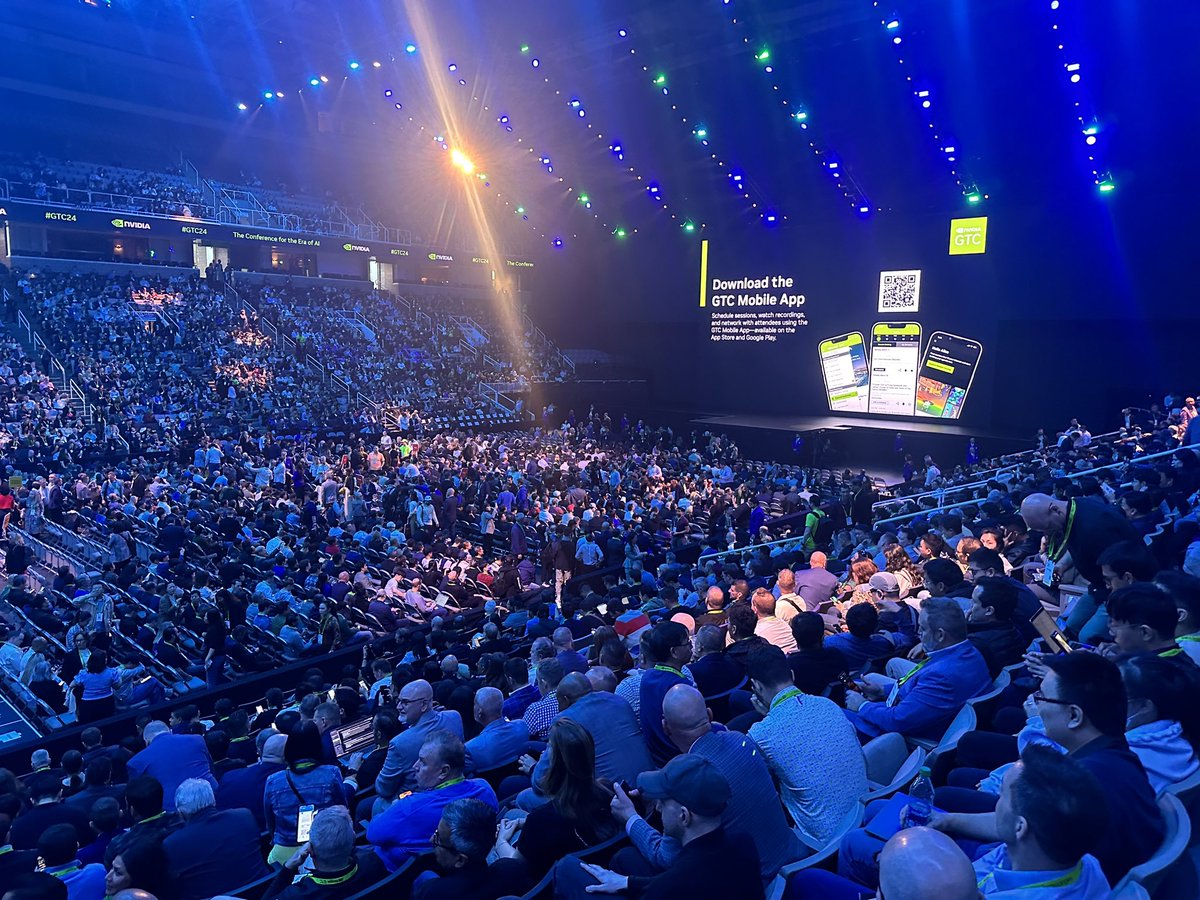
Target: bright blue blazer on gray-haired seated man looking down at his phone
x,y
931,699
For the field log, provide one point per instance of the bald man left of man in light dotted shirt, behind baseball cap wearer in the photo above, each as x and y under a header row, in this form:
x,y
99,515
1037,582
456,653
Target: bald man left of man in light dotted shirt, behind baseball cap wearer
x,y
754,809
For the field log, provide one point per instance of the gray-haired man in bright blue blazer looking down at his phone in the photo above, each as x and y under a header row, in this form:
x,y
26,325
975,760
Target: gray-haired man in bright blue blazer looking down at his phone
x,y
923,703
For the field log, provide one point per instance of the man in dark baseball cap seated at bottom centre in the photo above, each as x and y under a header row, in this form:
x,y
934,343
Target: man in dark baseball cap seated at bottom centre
x,y
691,795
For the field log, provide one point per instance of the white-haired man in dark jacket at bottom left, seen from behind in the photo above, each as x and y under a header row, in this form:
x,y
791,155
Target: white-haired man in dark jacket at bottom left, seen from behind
x,y
217,850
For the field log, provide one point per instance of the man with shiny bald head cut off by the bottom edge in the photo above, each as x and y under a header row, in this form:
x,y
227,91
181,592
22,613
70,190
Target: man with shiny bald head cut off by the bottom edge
x,y
915,865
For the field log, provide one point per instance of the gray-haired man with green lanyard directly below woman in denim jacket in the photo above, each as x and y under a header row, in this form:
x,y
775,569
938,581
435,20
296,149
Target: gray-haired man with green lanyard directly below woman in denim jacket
x,y
337,871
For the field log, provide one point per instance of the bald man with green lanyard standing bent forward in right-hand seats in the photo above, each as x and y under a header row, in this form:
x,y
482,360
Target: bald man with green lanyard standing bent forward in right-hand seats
x,y
1082,529
